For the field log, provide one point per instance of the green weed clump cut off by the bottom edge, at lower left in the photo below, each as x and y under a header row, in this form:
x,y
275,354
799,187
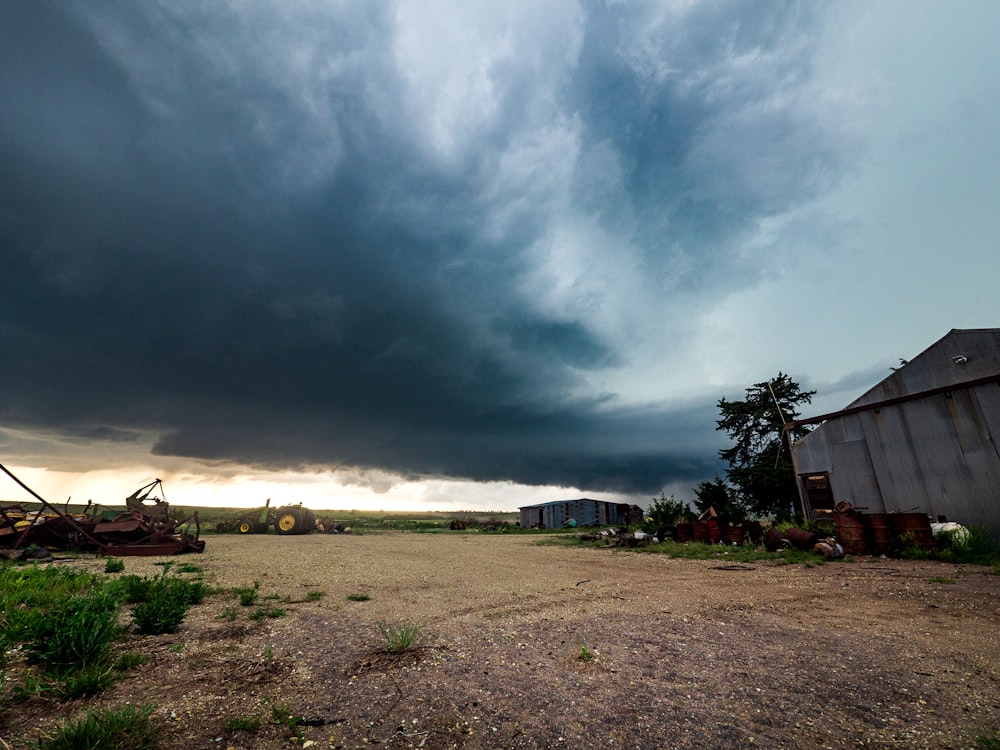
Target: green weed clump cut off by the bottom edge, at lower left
x,y
126,728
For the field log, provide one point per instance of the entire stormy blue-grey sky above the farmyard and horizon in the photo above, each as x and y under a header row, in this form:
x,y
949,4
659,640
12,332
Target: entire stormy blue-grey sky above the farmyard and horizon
x,y
522,245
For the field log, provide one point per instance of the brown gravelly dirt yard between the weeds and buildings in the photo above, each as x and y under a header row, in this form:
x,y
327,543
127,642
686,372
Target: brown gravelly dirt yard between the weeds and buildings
x,y
686,654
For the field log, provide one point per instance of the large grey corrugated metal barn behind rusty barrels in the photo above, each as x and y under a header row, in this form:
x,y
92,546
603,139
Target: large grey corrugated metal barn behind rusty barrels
x,y
926,439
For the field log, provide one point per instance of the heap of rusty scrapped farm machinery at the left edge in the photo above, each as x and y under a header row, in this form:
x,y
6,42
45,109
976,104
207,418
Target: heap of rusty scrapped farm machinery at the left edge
x,y
146,527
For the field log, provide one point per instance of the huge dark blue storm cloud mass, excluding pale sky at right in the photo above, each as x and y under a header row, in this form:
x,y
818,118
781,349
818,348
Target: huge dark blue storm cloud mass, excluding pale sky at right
x,y
242,229
